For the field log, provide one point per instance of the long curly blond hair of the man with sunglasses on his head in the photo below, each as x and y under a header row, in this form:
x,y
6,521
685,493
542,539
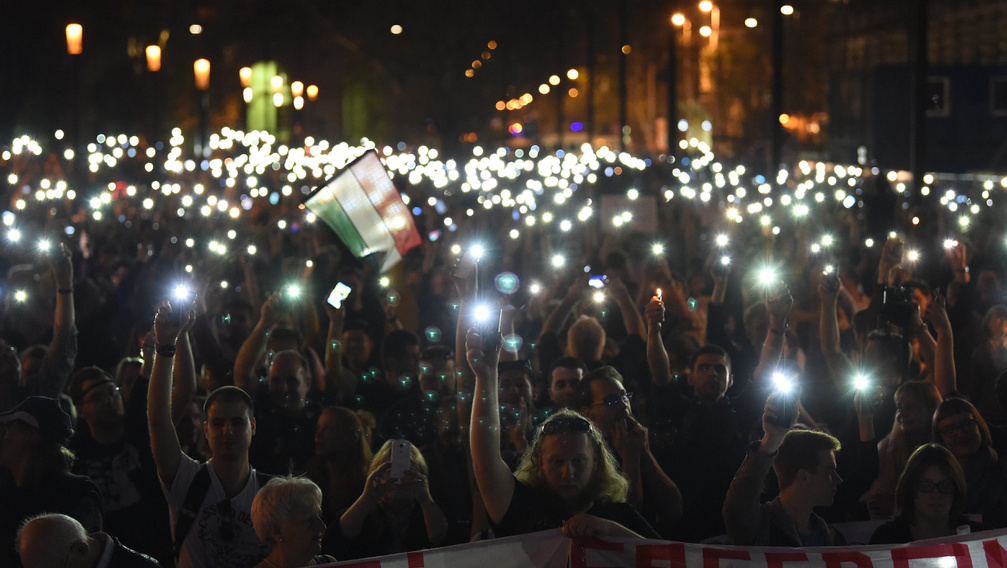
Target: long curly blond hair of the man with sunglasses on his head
x,y
608,483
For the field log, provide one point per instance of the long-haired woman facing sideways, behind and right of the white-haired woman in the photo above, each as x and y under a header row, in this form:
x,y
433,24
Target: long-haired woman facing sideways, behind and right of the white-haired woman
x,y
343,458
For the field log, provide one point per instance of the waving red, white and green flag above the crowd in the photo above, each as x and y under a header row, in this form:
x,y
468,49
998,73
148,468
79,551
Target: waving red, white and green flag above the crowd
x,y
362,205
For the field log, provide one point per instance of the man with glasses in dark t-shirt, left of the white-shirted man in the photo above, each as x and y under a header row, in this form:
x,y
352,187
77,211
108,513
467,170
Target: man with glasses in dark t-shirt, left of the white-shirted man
x,y
112,445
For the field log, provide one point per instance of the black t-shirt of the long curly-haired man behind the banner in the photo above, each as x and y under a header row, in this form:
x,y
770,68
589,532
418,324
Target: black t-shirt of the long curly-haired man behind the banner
x,y
533,510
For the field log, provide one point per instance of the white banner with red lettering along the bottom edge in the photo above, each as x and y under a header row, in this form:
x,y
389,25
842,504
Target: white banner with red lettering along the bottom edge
x,y
550,549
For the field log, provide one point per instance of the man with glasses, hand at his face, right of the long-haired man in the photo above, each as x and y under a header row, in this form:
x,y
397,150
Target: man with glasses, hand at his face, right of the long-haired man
x,y
607,403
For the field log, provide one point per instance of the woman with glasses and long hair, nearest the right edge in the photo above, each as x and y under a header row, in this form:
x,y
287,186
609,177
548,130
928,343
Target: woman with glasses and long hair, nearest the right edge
x,y
959,428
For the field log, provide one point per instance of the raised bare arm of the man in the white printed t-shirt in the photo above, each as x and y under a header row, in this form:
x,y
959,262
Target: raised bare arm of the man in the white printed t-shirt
x,y
164,439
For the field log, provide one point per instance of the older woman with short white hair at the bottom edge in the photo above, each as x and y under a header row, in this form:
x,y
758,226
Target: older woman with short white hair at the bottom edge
x,y
286,514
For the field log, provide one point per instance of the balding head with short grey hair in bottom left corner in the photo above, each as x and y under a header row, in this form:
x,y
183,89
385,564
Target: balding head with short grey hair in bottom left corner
x,y
48,540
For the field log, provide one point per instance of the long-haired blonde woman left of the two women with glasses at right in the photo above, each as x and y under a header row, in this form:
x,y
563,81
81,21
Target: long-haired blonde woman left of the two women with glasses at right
x,y
916,402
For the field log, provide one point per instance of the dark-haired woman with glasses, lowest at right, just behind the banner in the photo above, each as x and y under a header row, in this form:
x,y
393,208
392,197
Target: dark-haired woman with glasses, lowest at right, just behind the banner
x,y
930,500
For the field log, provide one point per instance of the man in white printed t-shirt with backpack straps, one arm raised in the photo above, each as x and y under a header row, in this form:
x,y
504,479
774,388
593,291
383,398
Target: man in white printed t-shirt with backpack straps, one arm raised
x,y
211,504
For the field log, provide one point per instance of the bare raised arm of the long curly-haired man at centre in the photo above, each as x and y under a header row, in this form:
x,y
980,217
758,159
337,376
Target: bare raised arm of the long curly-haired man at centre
x,y
492,474
